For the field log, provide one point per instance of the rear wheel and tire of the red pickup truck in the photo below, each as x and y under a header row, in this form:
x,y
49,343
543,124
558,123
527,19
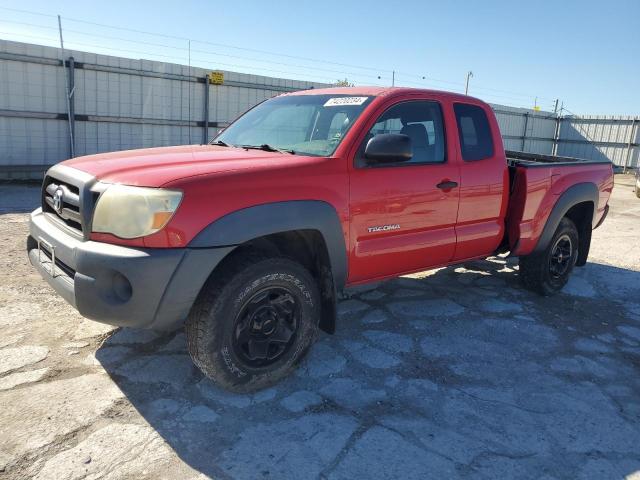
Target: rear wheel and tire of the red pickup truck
x,y
548,271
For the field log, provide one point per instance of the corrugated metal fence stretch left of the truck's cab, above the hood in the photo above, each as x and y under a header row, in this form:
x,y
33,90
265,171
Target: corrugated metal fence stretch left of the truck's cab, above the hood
x,y
119,104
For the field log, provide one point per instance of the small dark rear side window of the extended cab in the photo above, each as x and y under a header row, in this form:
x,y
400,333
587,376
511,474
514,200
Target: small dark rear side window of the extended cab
x,y
476,141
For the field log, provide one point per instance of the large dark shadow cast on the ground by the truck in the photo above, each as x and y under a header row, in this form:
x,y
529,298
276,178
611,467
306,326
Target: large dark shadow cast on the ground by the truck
x,y
457,372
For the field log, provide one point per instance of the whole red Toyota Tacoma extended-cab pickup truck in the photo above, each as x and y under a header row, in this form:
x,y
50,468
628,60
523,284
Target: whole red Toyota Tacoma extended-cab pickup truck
x,y
251,238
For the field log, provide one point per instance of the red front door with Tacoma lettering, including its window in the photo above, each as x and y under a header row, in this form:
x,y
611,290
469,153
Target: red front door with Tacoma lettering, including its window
x,y
403,215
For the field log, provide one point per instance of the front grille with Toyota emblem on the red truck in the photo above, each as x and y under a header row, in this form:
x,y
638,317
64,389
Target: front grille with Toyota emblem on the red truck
x,y
66,207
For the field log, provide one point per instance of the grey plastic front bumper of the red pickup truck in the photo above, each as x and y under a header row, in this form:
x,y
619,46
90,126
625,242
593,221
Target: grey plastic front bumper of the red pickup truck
x,y
132,287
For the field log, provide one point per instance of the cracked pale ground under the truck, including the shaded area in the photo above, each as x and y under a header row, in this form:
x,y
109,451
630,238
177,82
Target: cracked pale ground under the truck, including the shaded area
x,y
456,372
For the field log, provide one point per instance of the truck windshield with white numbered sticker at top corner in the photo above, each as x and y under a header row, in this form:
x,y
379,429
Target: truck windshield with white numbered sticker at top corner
x,y
304,124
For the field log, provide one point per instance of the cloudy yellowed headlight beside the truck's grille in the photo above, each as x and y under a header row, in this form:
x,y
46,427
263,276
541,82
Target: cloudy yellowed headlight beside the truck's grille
x,y
130,212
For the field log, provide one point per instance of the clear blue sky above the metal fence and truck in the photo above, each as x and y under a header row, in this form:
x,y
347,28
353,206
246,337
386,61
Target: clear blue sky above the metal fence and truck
x,y
583,53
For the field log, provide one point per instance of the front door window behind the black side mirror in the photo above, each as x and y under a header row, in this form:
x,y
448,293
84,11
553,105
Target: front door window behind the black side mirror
x,y
422,122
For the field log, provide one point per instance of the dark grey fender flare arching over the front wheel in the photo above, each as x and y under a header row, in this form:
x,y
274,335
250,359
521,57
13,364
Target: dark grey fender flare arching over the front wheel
x,y
249,223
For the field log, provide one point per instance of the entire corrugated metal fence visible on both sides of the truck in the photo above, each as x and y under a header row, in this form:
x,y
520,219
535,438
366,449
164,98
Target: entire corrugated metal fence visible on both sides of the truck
x,y
123,103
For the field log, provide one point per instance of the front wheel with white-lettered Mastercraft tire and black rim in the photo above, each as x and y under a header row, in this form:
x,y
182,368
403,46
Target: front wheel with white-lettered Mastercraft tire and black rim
x,y
252,302
